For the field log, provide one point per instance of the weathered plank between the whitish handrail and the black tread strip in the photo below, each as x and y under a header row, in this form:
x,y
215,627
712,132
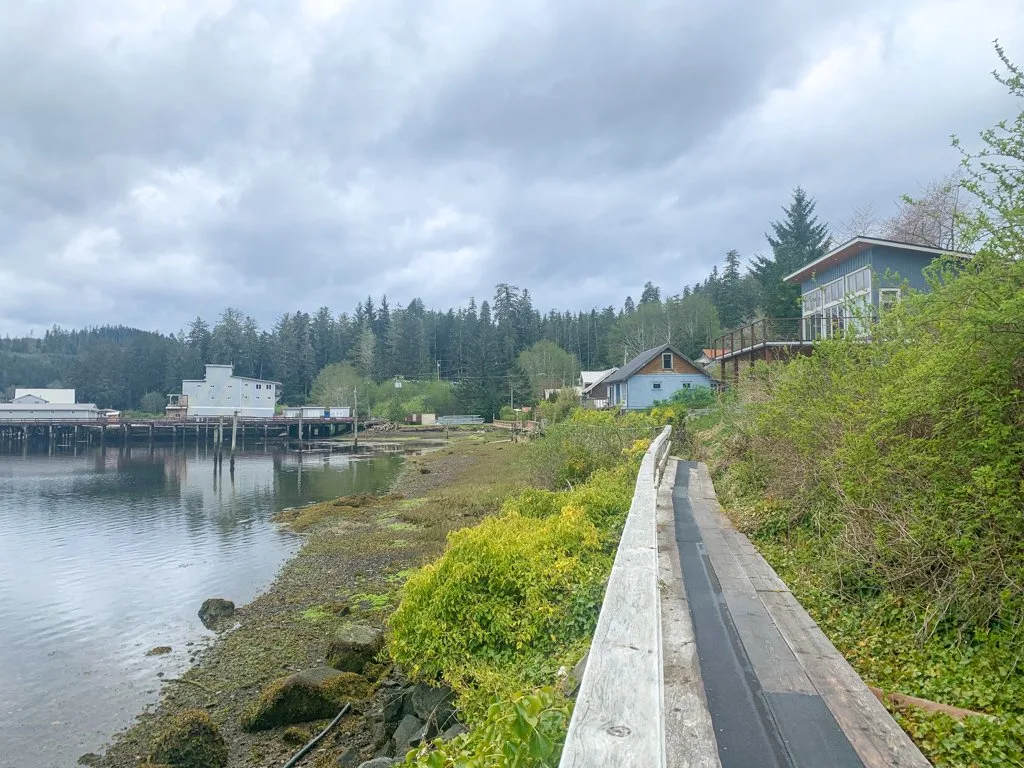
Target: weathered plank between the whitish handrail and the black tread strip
x,y
690,735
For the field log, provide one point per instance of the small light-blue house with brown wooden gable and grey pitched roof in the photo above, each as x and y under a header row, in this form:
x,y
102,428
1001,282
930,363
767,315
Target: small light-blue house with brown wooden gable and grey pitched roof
x,y
654,375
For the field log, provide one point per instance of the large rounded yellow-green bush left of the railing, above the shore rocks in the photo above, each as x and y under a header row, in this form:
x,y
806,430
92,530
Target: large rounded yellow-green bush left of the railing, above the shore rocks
x,y
513,592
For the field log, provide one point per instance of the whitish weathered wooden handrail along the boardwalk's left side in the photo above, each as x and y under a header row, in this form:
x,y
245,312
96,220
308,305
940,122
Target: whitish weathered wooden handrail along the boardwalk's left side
x,y
619,720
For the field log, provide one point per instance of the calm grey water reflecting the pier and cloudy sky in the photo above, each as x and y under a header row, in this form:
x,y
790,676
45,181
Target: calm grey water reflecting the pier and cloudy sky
x,y
104,558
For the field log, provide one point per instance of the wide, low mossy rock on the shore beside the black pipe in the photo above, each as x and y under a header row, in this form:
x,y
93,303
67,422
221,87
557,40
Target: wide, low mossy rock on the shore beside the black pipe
x,y
313,695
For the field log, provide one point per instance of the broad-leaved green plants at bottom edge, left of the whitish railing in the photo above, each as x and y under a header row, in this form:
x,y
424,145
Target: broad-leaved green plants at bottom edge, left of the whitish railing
x,y
525,731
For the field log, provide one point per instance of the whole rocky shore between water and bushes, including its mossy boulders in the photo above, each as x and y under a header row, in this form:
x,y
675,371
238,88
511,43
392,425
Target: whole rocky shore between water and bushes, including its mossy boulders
x,y
288,663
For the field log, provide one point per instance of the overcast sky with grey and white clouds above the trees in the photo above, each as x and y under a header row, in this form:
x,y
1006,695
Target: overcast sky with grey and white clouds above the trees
x,y
169,158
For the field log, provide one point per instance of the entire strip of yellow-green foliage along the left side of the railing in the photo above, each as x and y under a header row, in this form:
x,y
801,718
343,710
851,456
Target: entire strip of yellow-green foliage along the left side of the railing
x,y
517,599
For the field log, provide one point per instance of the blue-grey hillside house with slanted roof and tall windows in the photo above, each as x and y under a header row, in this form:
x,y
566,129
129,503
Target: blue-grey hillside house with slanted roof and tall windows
x,y
858,280
